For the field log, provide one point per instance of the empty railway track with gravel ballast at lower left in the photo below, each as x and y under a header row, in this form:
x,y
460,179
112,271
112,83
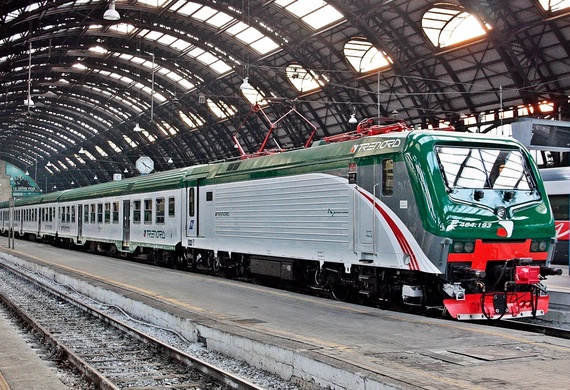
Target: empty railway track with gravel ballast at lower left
x,y
110,353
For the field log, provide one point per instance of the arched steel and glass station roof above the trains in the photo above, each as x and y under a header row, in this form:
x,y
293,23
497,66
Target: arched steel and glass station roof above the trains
x,y
84,95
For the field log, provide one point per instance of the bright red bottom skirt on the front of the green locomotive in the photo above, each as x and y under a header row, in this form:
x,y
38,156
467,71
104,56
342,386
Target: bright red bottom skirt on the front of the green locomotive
x,y
498,305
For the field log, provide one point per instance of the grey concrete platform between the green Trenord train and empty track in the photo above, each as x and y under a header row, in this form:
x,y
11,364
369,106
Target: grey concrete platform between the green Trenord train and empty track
x,y
332,344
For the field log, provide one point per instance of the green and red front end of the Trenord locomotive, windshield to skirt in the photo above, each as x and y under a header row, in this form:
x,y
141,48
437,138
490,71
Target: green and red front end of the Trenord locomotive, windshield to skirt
x,y
496,220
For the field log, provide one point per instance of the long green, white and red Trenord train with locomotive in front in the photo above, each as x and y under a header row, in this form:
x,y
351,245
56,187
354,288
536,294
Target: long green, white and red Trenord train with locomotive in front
x,y
417,220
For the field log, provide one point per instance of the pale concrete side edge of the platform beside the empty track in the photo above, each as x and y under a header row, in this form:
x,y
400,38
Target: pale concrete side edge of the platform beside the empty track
x,y
295,363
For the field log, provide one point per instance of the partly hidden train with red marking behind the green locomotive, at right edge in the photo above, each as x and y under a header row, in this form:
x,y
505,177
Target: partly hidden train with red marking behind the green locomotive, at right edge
x,y
557,185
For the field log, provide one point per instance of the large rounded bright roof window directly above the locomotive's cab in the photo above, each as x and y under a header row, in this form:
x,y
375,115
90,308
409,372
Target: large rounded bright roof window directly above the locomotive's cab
x,y
446,25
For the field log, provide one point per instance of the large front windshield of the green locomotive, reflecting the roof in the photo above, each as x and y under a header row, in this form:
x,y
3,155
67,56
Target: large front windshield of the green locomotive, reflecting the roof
x,y
476,168
